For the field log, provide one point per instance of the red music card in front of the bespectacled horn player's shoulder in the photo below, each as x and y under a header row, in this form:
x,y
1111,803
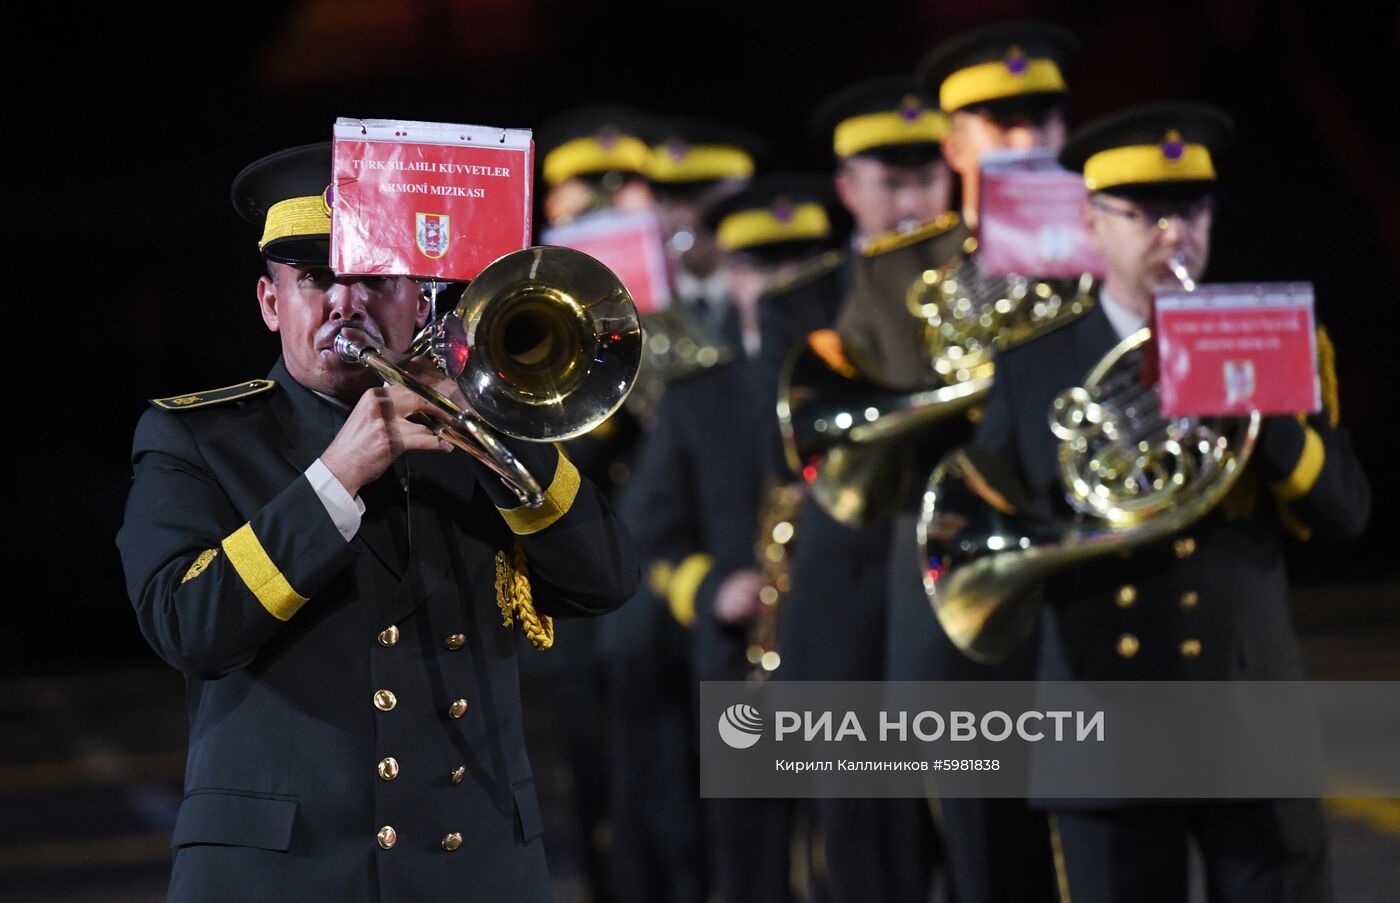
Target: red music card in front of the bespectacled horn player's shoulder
x,y
1231,349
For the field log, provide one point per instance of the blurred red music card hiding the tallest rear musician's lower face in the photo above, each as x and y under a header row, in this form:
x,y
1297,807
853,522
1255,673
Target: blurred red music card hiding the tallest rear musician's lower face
x,y
1028,219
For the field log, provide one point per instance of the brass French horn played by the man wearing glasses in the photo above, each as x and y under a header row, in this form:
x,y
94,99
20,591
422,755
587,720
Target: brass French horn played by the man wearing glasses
x,y
1132,475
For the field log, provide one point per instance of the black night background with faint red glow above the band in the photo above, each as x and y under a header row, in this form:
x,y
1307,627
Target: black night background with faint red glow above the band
x,y
143,281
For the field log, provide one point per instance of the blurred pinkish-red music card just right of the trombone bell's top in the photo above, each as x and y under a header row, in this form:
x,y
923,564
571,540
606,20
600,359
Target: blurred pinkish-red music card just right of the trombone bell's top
x,y
629,244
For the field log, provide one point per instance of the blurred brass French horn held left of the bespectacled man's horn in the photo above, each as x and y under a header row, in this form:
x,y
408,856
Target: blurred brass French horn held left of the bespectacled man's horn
x,y
846,430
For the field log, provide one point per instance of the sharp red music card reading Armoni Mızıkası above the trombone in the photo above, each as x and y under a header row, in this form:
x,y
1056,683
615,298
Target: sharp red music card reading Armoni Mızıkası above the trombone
x,y
428,199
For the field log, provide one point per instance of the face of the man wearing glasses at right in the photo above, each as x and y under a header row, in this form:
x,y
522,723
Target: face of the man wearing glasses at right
x,y
1137,240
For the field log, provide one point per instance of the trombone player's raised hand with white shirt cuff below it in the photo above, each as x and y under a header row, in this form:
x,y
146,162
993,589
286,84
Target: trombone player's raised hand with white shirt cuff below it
x,y
376,435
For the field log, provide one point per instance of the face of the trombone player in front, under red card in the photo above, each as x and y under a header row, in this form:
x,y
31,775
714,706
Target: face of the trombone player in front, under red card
x,y
309,307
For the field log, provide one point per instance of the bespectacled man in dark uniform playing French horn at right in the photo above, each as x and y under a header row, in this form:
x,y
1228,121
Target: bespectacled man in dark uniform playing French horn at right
x,y
1210,603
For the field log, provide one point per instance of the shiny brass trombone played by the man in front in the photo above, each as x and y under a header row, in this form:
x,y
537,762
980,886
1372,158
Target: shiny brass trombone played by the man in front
x,y
545,345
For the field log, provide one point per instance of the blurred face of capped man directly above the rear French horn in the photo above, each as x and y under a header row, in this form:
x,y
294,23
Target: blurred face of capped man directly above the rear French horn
x,y
884,198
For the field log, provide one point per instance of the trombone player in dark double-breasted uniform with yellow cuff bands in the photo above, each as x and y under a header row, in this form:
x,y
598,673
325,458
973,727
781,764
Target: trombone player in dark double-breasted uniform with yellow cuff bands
x,y
334,586
